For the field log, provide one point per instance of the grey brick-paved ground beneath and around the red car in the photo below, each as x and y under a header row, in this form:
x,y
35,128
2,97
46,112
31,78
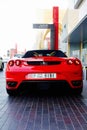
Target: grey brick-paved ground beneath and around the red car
x,y
36,112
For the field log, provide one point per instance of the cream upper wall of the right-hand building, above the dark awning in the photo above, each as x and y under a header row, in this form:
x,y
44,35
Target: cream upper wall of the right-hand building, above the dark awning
x,y
69,21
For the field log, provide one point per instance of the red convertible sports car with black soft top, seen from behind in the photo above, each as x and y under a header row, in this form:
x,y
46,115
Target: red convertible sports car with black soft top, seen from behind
x,y
44,69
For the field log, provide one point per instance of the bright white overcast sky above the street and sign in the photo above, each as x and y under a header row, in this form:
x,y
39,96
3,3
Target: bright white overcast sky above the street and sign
x,y
16,19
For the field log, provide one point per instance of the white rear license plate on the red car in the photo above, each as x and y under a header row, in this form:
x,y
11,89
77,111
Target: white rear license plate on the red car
x,y
41,75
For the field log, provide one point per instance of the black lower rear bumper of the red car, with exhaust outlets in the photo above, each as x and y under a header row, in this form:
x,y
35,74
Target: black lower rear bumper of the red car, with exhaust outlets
x,y
44,84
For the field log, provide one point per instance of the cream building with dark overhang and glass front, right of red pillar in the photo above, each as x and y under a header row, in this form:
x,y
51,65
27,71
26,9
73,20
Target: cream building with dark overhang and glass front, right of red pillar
x,y
74,30
